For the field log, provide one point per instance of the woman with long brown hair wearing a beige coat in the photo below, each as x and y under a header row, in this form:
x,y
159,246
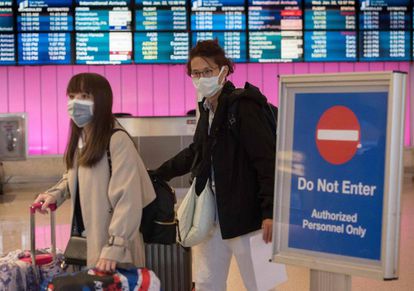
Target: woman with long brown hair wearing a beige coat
x,y
105,178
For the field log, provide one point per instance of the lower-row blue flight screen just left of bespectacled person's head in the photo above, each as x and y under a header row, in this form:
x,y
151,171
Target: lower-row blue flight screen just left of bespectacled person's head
x,y
161,47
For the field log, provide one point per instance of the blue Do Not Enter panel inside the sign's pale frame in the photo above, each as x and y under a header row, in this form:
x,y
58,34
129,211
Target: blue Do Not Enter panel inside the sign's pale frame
x,y
336,203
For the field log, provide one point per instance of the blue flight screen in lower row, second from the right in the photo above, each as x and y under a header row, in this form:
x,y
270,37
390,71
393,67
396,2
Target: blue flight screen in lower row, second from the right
x,y
328,46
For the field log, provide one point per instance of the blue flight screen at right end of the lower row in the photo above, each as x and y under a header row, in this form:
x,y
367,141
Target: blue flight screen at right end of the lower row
x,y
384,45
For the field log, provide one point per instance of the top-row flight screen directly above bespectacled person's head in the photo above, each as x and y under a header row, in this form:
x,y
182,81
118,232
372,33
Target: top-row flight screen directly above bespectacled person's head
x,y
213,15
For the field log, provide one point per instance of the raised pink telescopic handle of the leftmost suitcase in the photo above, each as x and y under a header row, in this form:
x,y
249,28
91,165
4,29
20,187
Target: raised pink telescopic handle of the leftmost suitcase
x,y
33,209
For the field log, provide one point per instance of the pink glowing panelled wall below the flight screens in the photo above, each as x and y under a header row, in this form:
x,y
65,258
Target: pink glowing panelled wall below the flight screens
x,y
142,90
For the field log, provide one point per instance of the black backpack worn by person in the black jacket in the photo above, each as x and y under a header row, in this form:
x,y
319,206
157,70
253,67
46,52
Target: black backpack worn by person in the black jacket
x,y
269,111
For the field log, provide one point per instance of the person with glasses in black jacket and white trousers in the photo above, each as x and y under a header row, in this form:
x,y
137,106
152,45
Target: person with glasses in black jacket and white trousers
x,y
240,166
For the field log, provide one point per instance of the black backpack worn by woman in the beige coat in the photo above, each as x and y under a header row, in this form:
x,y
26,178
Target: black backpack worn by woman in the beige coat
x,y
158,222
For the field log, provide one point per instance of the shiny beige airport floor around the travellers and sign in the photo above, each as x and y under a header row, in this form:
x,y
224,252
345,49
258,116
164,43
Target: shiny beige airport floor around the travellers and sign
x,y
14,234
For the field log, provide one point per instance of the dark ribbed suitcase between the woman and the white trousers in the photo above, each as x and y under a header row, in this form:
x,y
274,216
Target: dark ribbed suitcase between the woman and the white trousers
x,y
172,264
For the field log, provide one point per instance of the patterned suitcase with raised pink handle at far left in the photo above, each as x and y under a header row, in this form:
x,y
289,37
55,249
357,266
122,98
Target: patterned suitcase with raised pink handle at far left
x,y
24,270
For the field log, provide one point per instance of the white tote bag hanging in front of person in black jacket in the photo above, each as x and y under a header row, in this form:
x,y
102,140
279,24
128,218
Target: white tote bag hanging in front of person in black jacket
x,y
196,216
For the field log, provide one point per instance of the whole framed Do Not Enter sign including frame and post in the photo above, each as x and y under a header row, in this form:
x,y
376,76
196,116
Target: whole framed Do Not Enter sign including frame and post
x,y
339,175
